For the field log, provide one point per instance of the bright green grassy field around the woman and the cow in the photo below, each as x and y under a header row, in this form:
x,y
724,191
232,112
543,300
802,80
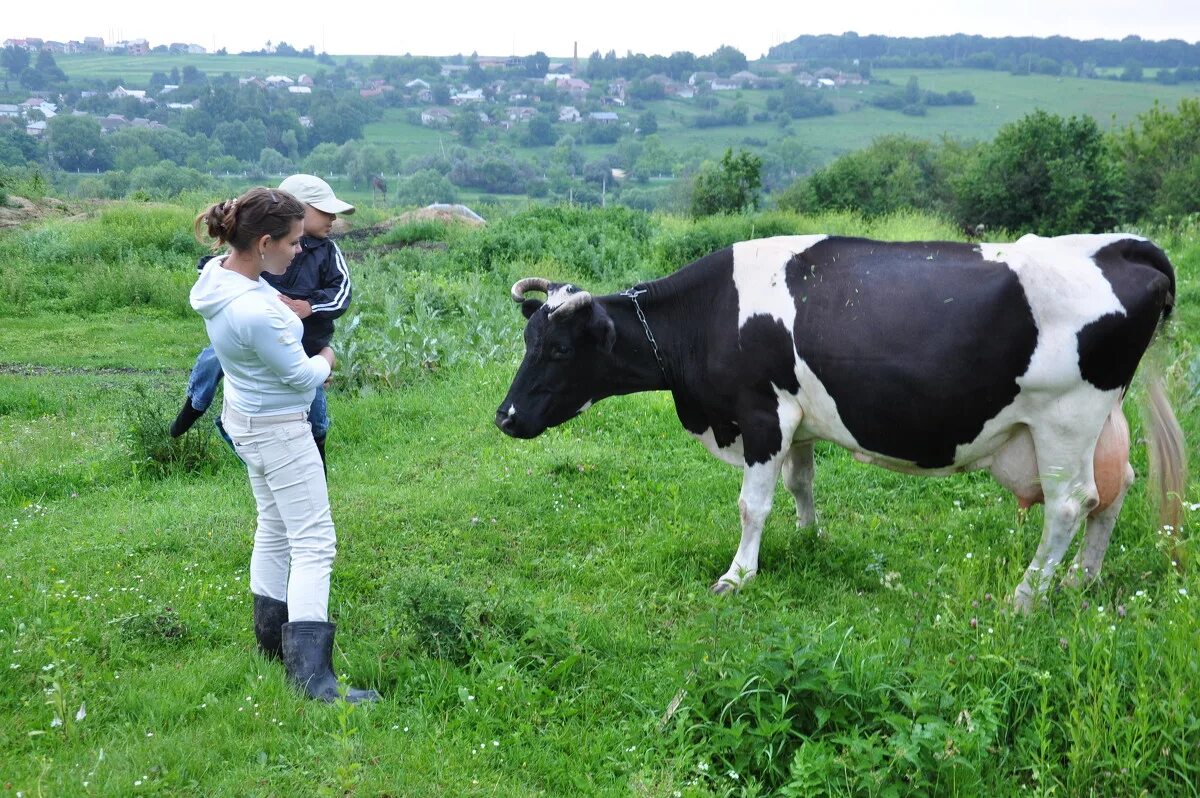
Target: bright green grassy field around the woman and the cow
x,y
536,614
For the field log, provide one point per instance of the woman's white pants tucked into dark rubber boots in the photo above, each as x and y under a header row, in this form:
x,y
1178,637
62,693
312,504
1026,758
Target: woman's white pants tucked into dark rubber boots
x,y
295,543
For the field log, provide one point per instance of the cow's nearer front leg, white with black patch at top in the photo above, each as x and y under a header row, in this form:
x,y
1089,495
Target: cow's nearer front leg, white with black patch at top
x,y
765,441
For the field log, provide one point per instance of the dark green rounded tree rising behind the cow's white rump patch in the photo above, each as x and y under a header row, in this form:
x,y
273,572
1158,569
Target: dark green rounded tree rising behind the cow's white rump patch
x,y
1042,175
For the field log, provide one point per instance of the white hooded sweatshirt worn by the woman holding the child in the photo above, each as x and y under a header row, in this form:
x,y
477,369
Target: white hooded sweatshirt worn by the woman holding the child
x,y
257,340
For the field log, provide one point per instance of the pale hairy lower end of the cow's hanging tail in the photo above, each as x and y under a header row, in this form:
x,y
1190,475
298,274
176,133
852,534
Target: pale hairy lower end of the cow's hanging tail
x,y
1168,461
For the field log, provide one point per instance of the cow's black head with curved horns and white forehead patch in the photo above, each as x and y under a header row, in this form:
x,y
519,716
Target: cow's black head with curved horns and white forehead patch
x,y
567,341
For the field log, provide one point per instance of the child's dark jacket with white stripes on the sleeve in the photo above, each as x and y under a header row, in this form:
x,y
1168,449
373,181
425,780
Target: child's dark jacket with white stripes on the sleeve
x,y
320,277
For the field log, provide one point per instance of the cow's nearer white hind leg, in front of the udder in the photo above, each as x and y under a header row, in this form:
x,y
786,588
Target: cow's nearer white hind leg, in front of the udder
x,y
1065,451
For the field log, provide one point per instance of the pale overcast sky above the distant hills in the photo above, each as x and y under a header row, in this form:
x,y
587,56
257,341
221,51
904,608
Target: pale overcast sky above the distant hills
x,y
521,27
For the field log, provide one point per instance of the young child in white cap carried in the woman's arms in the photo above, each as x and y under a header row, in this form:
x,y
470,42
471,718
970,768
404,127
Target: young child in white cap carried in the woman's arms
x,y
316,287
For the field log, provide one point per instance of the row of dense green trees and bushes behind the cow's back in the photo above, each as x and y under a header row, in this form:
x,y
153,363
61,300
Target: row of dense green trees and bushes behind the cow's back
x,y
1045,175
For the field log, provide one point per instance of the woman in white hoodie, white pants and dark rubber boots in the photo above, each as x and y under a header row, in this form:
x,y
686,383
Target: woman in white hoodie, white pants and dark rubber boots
x,y
269,387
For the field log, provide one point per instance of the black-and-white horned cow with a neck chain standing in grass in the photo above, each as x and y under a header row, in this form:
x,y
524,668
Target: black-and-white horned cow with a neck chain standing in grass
x,y
927,358
